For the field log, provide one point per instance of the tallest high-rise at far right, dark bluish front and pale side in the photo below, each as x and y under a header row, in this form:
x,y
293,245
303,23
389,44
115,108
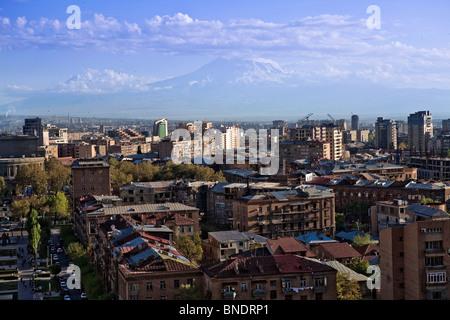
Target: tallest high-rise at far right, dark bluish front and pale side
x,y
420,130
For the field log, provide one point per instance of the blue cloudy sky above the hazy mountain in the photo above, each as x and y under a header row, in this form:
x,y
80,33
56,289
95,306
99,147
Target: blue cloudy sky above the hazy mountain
x,y
124,45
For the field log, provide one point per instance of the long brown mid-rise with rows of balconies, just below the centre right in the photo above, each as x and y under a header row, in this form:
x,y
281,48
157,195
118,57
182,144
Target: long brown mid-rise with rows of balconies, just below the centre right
x,y
286,213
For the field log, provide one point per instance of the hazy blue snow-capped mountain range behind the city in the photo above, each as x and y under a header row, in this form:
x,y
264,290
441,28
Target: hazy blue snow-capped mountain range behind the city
x,y
222,89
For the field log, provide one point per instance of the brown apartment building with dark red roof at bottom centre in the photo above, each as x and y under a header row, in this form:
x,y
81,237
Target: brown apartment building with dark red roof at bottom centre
x,y
274,277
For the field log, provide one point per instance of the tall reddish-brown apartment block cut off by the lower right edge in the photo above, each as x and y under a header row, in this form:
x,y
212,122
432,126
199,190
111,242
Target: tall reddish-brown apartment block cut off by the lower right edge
x,y
415,260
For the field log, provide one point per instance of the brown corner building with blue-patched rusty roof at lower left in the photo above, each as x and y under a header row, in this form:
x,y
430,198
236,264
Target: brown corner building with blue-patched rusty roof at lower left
x,y
138,266
